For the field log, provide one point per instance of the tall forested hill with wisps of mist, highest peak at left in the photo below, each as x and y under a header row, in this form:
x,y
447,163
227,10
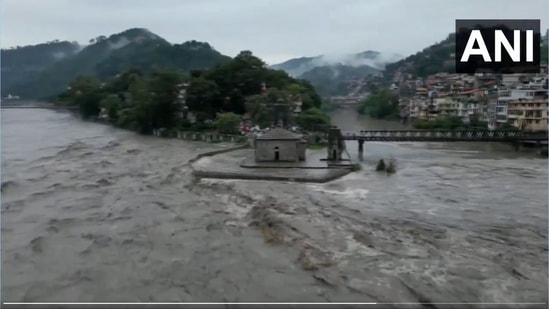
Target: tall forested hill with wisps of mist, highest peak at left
x,y
106,57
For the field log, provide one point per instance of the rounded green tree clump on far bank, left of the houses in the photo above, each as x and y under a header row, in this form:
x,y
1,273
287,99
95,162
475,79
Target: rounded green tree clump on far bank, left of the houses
x,y
381,104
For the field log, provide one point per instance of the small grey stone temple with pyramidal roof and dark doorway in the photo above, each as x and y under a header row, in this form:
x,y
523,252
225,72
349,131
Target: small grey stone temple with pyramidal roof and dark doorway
x,y
280,145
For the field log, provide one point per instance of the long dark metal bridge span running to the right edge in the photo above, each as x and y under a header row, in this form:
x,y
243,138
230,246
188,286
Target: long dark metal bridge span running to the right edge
x,y
446,136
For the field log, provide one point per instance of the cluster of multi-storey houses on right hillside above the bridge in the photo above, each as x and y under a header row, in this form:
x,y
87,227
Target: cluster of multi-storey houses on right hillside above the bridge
x,y
519,100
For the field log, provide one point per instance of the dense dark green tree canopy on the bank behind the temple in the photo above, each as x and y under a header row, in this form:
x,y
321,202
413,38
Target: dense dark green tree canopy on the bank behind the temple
x,y
145,102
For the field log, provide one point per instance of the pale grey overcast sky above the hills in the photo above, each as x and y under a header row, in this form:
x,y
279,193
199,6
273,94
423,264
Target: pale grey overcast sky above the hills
x,y
274,30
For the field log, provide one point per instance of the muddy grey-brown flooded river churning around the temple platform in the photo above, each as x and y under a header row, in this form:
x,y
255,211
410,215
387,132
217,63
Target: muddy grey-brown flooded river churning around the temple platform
x,y
92,213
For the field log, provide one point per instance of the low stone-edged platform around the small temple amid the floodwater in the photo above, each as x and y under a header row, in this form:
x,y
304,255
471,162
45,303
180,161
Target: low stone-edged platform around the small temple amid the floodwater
x,y
228,166
